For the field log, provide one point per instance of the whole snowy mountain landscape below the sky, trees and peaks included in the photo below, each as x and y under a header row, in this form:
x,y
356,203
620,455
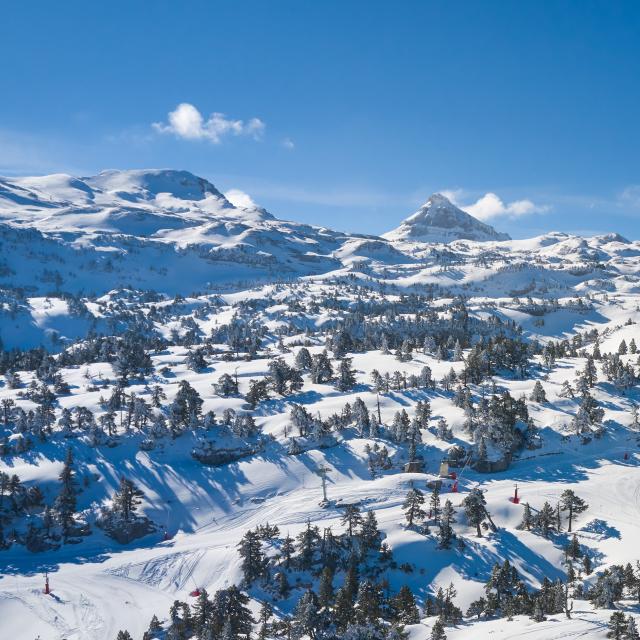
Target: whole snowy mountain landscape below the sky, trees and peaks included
x,y
196,397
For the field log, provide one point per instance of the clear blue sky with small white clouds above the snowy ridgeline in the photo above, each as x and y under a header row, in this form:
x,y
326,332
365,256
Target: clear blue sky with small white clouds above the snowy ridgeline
x,y
346,113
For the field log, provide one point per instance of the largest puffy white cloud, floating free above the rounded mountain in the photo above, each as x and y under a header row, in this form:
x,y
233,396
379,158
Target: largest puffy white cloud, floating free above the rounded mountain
x,y
188,123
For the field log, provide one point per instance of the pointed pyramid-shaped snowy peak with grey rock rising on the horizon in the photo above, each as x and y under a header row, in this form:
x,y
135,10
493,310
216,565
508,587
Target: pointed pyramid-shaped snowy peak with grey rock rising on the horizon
x,y
439,220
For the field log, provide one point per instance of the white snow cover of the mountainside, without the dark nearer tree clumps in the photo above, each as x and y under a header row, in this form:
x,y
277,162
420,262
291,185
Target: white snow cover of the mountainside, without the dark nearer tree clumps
x,y
165,253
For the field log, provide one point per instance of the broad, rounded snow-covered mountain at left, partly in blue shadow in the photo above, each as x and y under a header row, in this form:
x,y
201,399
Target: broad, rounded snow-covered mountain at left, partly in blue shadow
x,y
132,226
